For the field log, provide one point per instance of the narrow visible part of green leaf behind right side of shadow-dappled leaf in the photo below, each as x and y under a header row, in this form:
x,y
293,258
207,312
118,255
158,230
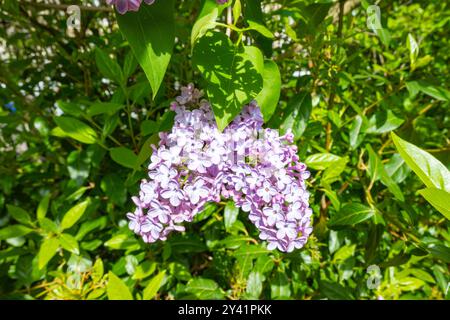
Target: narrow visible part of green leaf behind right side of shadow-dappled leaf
x,y
268,97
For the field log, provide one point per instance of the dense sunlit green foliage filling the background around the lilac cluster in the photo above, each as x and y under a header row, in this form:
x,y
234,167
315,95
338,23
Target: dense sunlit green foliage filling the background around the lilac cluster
x,y
74,151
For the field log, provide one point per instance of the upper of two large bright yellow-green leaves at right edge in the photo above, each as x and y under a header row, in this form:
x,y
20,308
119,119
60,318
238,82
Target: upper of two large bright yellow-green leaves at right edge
x,y
432,172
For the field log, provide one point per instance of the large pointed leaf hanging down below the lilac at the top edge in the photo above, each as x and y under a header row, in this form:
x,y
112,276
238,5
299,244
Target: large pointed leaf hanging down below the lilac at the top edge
x,y
151,35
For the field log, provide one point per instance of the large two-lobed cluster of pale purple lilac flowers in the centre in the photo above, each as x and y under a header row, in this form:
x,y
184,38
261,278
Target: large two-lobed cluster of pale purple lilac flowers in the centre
x,y
195,163
